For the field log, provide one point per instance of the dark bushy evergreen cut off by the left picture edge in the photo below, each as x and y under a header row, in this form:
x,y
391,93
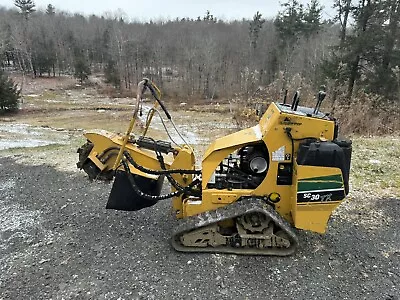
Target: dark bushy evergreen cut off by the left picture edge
x,y
9,94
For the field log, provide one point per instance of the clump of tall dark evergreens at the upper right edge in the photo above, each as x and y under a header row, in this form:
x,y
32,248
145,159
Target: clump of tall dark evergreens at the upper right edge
x,y
367,55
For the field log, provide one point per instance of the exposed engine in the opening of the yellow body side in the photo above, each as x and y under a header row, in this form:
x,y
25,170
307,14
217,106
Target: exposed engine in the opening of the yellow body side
x,y
244,169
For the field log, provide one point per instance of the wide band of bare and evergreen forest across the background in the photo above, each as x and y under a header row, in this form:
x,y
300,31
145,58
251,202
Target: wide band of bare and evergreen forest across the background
x,y
354,56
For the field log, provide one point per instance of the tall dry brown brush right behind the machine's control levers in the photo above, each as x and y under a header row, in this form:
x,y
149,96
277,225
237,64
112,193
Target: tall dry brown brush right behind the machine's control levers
x,y
364,114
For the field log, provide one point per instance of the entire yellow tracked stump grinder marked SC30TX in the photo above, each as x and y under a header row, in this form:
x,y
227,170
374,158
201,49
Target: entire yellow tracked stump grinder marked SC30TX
x,y
254,188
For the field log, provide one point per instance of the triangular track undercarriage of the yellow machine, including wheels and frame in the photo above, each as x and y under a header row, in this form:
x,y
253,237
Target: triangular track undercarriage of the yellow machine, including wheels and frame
x,y
248,226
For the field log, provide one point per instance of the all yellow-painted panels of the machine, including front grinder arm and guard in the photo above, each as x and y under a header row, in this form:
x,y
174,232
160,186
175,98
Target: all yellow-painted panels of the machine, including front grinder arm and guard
x,y
271,130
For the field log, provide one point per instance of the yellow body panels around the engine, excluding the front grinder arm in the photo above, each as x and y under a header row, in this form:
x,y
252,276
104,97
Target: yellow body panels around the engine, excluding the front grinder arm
x,y
272,131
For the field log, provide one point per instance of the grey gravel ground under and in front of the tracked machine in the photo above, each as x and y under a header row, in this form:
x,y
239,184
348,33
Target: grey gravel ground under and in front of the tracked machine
x,y
57,241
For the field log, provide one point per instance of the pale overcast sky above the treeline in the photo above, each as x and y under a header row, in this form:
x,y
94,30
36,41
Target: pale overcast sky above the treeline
x,y
170,9
